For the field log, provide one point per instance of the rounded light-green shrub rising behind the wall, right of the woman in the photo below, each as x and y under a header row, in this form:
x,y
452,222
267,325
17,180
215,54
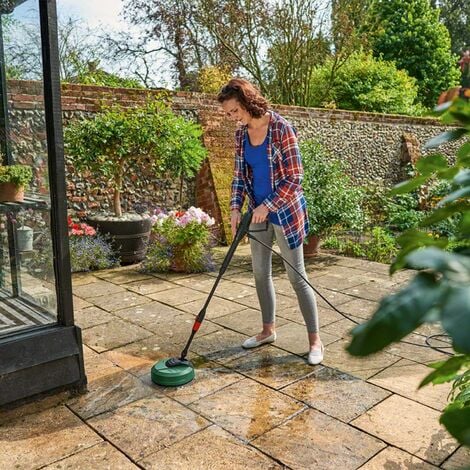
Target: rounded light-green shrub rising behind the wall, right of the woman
x,y
364,83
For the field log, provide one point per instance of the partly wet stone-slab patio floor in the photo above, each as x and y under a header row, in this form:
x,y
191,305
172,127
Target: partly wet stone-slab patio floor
x,y
258,409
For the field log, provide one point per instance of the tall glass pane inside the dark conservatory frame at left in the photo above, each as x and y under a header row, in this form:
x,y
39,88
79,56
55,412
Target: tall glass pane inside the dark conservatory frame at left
x,y
27,279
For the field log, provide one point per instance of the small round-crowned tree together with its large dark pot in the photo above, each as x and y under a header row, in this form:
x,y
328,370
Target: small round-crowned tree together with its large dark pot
x,y
118,142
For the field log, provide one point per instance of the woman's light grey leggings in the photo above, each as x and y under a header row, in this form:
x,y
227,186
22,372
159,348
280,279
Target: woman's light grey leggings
x,y
261,259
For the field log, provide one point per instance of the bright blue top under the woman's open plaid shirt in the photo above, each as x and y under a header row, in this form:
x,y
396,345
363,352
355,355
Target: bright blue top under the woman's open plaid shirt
x,y
256,157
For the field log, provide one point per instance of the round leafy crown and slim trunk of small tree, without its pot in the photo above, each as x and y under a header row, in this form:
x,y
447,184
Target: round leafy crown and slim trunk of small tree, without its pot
x,y
151,136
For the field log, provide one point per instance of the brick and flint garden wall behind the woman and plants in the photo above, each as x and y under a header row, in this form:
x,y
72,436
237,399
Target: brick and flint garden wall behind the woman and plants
x,y
372,143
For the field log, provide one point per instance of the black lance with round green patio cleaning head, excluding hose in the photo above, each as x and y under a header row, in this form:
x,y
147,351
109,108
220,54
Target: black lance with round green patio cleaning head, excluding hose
x,y
179,371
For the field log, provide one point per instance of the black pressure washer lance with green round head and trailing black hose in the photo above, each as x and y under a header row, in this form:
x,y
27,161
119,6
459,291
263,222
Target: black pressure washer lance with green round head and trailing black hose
x,y
179,370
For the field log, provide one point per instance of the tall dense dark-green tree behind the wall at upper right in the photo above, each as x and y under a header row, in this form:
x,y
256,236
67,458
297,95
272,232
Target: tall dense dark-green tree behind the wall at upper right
x,y
409,33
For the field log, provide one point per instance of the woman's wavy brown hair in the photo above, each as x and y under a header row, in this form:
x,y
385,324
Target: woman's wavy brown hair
x,y
246,94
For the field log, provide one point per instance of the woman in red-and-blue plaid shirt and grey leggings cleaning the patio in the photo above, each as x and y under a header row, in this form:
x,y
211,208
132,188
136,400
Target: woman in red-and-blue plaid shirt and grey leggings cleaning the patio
x,y
268,169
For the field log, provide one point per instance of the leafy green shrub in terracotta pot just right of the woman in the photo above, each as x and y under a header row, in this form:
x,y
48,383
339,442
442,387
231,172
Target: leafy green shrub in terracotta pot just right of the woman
x,y
331,197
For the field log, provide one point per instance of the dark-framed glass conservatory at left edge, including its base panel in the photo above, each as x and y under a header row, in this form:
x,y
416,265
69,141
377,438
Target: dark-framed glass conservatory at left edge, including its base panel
x,y
40,347
